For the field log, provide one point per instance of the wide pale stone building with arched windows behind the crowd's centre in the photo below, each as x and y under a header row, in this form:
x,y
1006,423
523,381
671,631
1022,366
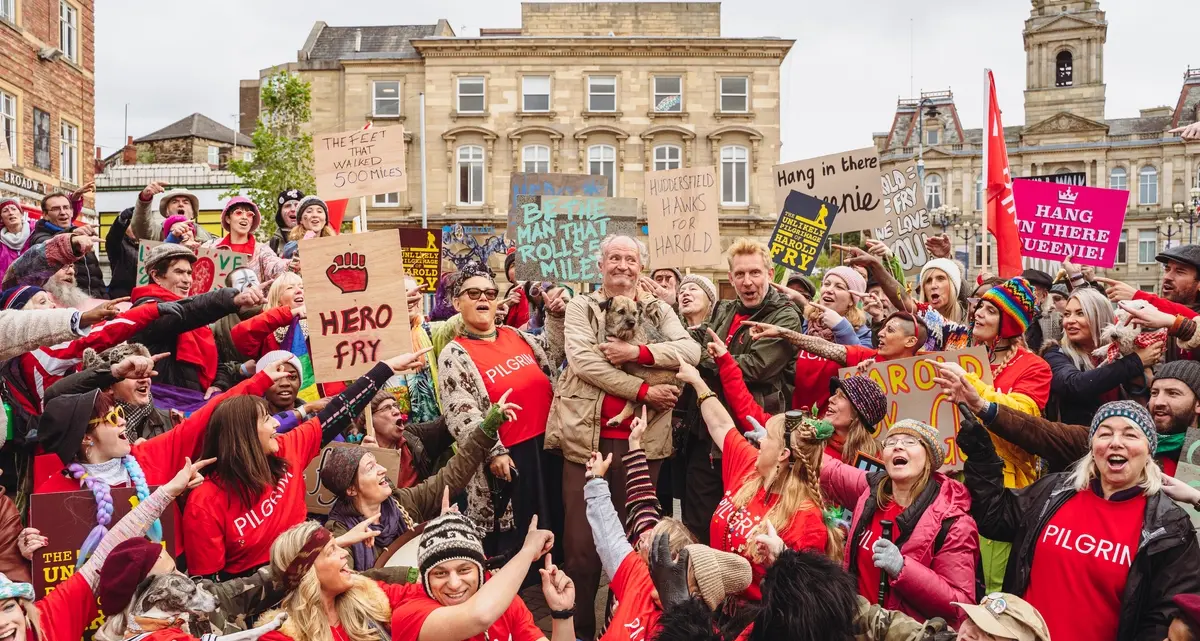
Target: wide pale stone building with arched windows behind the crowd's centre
x,y
602,88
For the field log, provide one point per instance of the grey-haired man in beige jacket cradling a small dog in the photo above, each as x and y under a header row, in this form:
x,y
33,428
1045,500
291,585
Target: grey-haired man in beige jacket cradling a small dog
x,y
595,390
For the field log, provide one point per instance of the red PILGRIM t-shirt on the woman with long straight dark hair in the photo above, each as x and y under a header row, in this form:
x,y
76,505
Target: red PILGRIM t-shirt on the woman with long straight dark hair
x,y
221,535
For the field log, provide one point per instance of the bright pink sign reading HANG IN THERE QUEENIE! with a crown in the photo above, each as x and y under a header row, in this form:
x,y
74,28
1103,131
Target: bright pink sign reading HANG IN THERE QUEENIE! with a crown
x,y
1057,221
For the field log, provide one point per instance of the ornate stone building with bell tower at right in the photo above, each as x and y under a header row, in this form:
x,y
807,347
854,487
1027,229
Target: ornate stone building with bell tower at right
x,y
1065,135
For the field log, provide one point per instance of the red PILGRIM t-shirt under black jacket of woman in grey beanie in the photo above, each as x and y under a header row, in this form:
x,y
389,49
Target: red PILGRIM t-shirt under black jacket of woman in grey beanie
x,y
1084,556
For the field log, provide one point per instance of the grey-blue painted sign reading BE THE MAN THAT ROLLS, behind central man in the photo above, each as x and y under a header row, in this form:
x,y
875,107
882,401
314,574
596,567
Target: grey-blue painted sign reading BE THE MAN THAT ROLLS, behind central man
x,y
559,237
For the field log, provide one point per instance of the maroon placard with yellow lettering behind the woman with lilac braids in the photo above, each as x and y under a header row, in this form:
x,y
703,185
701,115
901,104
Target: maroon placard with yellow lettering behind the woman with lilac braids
x,y
67,519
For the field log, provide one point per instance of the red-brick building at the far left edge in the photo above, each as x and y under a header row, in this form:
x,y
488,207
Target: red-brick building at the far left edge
x,y
47,98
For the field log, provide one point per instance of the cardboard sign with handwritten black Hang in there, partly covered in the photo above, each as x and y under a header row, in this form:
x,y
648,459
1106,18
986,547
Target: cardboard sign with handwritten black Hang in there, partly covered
x,y
849,181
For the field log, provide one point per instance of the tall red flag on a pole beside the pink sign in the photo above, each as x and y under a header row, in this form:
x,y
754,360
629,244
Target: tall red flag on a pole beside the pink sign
x,y
1001,207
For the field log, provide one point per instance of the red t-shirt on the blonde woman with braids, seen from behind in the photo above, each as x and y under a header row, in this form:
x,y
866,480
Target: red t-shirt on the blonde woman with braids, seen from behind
x,y
733,529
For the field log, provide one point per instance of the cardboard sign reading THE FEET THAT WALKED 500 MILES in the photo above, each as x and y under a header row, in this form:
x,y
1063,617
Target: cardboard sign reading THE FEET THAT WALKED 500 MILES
x,y
359,163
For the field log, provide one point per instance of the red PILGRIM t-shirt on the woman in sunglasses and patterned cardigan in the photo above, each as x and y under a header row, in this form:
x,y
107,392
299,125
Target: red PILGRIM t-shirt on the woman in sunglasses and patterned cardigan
x,y
508,363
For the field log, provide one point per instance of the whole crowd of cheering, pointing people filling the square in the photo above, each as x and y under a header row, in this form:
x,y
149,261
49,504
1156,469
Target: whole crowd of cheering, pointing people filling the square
x,y
545,438
